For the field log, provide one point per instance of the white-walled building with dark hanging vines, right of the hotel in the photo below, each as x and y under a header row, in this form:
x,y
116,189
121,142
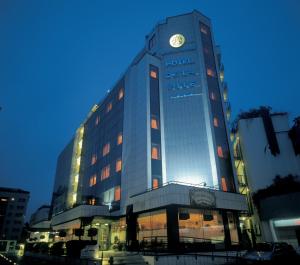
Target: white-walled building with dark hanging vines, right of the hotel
x,y
264,149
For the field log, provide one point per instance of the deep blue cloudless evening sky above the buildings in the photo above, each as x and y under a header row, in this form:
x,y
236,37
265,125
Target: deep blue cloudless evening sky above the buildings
x,y
58,58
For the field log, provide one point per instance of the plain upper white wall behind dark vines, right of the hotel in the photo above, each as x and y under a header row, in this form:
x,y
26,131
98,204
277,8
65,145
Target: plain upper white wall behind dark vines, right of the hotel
x,y
261,166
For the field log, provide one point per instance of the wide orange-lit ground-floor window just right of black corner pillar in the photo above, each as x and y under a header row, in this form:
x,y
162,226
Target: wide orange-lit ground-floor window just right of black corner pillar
x,y
197,225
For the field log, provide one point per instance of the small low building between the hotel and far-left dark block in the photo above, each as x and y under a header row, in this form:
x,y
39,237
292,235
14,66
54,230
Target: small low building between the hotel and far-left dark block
x,y
40,224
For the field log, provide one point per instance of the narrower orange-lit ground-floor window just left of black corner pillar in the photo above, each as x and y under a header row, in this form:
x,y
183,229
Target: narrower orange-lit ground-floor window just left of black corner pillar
x,y
152,225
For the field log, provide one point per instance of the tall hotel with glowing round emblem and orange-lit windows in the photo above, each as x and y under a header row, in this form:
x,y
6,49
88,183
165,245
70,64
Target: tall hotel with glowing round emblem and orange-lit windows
x,y
152,160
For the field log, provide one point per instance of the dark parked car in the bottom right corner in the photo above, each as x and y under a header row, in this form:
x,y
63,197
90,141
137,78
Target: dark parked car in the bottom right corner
x,y
271,253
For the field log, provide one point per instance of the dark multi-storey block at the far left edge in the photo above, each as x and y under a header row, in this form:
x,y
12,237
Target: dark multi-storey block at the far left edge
x,y
13,204
